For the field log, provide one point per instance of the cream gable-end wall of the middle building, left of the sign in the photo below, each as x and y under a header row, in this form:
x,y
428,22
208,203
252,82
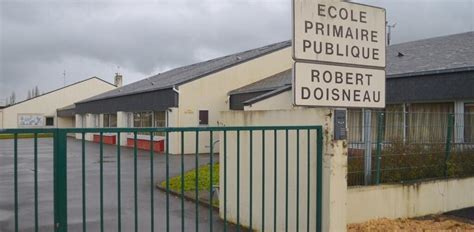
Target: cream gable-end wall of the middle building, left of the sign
x,y
211,93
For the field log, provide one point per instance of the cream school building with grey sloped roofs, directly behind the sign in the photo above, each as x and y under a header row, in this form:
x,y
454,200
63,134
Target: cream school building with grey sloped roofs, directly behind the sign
x,y
430,75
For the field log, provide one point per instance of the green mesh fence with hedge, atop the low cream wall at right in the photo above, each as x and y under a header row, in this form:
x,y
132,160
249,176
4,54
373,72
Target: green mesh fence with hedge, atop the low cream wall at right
x,y
397,147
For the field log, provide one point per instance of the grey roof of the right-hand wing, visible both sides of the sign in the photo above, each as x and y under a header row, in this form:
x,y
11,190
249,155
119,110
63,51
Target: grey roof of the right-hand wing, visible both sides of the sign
x,y
435,55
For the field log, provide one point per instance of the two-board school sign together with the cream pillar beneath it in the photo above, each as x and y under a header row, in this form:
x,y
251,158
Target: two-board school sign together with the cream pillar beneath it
x,y
339,62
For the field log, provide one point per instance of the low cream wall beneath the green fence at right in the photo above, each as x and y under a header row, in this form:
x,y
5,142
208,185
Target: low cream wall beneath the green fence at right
x,y
409,200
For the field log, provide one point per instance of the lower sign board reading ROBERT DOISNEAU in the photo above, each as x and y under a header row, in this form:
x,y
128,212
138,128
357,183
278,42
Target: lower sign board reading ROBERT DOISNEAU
x,y
338,86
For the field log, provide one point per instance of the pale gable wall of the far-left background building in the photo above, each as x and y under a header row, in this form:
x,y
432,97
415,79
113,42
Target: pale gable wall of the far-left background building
x,y
47,104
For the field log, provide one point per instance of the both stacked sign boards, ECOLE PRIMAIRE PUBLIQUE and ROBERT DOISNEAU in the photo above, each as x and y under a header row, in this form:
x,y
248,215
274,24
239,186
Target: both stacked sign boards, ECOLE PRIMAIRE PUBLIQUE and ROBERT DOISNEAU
x,y
339,53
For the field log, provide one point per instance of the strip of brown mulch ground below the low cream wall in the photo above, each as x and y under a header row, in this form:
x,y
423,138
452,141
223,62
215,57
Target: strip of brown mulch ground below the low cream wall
x,y
433,223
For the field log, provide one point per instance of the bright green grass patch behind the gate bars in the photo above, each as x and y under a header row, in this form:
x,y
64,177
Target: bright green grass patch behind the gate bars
x,y
204,182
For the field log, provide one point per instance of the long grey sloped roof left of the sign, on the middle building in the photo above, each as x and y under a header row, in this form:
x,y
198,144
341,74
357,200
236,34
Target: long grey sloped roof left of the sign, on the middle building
x,y
188,73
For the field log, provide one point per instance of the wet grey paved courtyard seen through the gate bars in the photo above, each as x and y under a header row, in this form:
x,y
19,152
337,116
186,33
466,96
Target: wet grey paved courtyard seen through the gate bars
x,y
45,189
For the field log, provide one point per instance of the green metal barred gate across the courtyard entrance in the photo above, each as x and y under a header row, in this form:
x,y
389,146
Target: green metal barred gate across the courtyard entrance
x,y
164,179
